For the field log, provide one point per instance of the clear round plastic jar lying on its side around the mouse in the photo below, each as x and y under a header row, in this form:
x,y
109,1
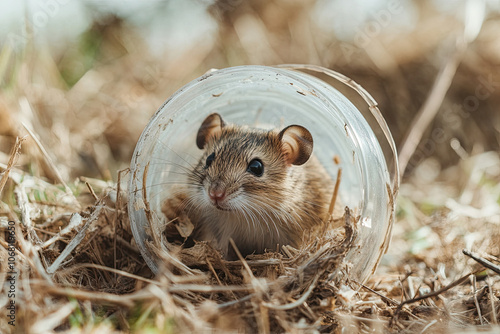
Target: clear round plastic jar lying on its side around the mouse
x,y
276,96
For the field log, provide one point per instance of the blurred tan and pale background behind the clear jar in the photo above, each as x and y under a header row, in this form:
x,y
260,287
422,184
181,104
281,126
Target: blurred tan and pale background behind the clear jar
x,y
86,76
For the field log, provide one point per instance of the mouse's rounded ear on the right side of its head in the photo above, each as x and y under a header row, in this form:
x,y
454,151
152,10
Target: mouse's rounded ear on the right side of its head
x,y
296,144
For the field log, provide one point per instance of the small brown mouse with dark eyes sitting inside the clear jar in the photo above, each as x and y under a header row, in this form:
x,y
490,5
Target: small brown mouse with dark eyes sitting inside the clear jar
x,y
262,188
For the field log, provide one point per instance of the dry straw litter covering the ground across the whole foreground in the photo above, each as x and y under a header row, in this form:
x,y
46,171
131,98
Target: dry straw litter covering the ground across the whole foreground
x,y
75,266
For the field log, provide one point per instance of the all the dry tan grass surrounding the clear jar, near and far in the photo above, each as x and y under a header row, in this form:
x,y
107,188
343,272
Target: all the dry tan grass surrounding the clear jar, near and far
x,y
78,268
